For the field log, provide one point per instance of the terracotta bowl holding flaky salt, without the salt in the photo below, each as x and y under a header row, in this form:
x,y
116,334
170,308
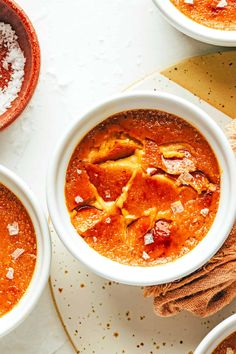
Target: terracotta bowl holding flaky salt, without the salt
x,y
11,13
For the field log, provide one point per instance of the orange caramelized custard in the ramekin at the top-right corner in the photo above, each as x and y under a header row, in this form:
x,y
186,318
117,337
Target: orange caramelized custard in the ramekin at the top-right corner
x,y
211,13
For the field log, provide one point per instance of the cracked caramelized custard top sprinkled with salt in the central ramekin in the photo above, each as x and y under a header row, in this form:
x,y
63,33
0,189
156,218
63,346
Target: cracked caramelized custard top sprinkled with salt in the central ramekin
x,y
143,187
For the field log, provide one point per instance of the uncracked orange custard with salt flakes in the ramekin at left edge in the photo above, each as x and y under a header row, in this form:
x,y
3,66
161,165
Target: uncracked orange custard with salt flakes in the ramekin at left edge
x,y
17,250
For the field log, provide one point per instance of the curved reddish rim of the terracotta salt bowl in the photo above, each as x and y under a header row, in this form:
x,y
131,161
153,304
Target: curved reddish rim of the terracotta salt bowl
x,y
7,119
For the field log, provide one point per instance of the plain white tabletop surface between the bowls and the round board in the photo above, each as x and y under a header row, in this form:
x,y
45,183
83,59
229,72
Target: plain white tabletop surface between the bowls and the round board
x,y
90,49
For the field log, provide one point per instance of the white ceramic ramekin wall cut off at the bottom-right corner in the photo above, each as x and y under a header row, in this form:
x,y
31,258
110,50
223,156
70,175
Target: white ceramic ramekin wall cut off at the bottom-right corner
x,y
216,336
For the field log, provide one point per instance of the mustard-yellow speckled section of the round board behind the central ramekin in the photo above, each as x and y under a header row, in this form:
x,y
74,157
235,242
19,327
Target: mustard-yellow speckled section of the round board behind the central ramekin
x,y
211,77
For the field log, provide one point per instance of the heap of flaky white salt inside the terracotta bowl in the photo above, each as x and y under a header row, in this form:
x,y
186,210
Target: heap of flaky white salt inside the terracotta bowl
x,y
14,61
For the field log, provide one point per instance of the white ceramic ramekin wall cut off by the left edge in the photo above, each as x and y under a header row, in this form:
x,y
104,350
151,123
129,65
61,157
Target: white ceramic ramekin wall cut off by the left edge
x,y
19,313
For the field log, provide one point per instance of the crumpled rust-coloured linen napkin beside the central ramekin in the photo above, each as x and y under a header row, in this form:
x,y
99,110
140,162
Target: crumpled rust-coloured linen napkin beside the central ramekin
x,y
207,290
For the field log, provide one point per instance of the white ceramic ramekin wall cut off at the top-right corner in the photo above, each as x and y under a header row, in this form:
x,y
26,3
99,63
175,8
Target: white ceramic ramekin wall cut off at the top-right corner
x,y
193,29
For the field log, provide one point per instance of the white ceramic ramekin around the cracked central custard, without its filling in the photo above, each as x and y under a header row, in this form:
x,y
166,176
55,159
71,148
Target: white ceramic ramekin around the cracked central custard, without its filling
x,y
130,274
